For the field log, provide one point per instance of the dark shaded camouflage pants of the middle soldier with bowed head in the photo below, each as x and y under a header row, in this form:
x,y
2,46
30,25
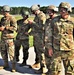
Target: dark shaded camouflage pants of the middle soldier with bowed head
x,y
39,48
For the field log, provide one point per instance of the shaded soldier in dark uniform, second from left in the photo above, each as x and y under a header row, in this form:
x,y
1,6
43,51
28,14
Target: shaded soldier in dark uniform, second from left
x,y
22,37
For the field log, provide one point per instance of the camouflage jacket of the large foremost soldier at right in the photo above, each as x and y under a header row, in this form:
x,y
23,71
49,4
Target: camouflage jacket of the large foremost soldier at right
x,y
61,34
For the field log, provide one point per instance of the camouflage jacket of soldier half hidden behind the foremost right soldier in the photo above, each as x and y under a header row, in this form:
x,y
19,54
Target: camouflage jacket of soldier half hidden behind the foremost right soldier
x,y
48,34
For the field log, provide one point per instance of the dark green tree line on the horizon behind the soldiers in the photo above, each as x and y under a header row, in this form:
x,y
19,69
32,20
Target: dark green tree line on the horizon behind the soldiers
x,y
17,10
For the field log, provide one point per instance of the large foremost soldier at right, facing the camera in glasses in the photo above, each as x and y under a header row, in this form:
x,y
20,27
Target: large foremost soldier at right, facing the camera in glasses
x,y
61,45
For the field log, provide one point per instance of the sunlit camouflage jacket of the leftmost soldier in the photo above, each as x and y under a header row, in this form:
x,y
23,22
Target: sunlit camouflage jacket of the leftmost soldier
x,y
9,21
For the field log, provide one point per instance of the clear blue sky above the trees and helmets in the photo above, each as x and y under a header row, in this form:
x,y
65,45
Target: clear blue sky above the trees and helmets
x,y
28,3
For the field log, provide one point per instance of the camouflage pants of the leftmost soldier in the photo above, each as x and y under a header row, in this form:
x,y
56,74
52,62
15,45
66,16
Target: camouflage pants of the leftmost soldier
x,y
7,47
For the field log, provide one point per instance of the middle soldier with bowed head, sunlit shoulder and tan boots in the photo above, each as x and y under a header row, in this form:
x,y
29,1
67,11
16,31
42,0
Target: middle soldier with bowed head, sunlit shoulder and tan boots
x,y
38,33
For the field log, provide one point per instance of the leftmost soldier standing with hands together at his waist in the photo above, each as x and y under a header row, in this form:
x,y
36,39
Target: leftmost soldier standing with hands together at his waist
x,y
8,26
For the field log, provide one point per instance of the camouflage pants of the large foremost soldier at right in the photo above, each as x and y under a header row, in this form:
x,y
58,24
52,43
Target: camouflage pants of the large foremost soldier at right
x,y
60,63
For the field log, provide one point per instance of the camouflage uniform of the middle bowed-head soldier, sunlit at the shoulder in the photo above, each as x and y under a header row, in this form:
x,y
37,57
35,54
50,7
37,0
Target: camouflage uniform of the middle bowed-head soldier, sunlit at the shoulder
x,y
39,33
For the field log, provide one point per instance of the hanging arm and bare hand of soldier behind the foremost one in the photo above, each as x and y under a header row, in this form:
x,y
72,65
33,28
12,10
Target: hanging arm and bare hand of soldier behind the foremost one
x,y
49,39
